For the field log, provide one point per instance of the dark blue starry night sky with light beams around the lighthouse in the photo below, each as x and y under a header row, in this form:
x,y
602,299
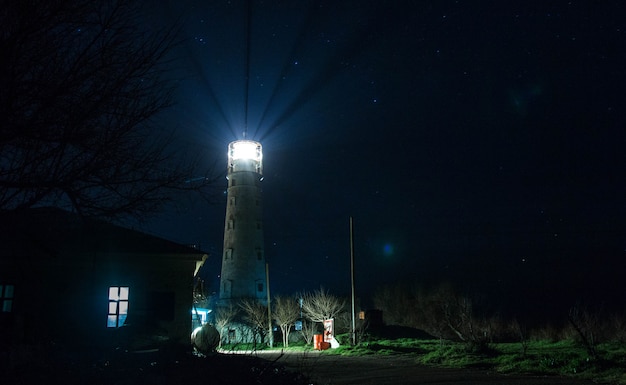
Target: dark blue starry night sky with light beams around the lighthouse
x,y
480,142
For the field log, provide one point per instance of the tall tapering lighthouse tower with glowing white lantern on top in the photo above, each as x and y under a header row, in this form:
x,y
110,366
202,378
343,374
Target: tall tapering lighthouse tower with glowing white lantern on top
x,y
243,259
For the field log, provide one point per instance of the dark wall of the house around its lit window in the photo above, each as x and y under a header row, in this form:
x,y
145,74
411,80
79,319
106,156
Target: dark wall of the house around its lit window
x,y
64,298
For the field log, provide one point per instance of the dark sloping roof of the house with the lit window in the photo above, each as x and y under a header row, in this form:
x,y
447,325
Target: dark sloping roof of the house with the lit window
x,y
54,229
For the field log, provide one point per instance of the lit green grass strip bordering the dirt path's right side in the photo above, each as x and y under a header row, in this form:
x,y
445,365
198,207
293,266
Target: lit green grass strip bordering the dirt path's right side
x,y
564,358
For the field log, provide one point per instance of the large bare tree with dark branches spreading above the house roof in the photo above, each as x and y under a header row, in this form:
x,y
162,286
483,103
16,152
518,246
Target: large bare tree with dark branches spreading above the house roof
x,y
82,84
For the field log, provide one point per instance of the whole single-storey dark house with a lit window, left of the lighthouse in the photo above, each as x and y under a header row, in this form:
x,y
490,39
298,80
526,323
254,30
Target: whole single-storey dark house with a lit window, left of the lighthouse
x,y
75,281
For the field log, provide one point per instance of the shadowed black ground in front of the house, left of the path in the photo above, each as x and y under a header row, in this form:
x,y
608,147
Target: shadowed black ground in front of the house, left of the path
x,y
149,367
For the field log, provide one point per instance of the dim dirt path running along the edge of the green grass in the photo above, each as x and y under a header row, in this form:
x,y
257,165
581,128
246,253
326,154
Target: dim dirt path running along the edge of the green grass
x,y
327,369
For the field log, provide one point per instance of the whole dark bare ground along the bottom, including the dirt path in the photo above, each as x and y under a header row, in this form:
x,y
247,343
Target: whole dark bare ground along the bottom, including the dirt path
x,y
259,368
